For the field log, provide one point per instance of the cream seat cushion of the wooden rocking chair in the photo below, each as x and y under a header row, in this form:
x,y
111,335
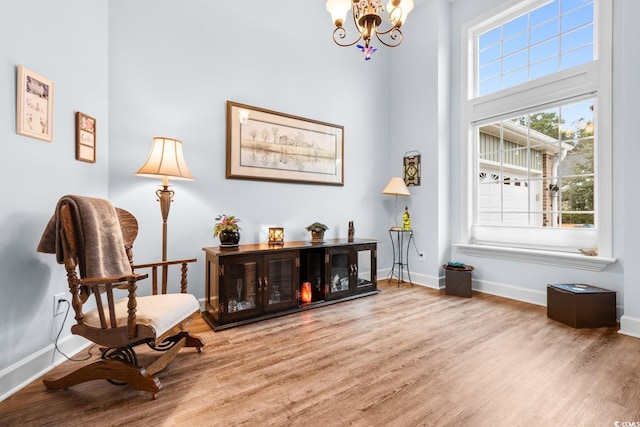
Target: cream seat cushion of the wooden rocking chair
x,y
162,312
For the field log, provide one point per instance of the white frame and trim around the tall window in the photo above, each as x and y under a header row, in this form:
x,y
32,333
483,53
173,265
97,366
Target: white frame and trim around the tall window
x,y
594,80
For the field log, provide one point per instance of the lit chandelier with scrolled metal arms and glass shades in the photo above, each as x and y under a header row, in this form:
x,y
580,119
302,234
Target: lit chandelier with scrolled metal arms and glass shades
x,y
367,17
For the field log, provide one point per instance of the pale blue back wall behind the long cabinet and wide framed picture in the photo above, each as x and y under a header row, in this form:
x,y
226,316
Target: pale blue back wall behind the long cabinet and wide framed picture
x,y
173,65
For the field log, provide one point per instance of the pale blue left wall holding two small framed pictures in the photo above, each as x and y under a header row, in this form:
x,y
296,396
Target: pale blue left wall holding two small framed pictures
x,y
66,42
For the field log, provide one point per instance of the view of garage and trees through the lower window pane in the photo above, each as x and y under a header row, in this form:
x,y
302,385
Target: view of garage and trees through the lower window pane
x,y
538,169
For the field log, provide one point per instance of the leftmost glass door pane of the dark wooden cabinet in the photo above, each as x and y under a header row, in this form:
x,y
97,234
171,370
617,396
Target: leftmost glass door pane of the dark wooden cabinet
x,y
239,293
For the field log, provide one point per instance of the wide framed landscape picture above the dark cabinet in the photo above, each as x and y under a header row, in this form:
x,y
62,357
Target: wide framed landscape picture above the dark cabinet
x,y
271,146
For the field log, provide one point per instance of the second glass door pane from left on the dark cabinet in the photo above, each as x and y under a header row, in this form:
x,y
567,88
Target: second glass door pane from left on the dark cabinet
x,y
280,281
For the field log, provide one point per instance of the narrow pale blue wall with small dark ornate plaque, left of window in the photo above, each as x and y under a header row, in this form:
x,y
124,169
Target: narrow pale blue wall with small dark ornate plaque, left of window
x,y
420,120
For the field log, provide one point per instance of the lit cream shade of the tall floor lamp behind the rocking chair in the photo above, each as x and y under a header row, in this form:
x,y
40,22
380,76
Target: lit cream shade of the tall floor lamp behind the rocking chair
x,y
166,160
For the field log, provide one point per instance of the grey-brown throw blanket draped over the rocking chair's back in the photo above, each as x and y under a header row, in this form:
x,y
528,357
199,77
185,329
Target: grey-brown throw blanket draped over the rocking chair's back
x,y
101,250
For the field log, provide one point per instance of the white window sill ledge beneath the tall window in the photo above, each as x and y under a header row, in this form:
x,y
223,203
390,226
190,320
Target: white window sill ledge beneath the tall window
x,y
558,259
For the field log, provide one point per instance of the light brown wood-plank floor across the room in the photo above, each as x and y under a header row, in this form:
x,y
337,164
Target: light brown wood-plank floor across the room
x,y
410,356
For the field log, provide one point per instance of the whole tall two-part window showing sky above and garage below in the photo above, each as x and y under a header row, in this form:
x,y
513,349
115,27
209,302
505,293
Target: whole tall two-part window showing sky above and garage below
x,y
537,111
